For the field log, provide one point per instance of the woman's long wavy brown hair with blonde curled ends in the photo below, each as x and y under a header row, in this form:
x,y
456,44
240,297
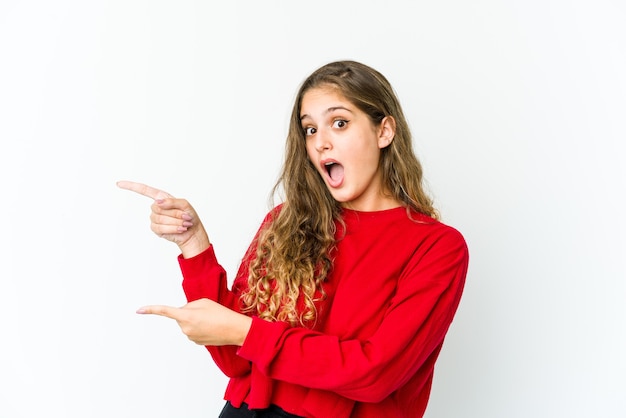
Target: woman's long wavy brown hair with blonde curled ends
x,y
294,251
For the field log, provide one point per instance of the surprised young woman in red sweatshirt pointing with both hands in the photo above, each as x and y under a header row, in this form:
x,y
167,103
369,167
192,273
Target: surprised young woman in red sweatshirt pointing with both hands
x,y
342,302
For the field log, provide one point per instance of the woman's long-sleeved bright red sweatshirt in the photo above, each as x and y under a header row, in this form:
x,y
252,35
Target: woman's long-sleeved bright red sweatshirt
x,y
393,291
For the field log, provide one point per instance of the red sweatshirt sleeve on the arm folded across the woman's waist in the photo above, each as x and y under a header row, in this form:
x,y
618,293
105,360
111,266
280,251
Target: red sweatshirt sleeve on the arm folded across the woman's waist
x,y
406,342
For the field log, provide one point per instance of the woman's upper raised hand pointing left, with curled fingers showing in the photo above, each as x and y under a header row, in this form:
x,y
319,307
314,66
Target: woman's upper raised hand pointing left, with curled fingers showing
x,y
173,219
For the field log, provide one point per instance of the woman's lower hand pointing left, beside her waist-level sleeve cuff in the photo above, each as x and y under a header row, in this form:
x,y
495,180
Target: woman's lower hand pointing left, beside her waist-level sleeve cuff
x,y
206,322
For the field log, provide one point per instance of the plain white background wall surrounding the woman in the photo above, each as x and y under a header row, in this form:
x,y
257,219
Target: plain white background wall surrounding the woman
x,y
518,109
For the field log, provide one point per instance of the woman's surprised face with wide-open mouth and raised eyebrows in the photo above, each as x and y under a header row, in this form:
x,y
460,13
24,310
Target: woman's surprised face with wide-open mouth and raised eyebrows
x,y
345,146
